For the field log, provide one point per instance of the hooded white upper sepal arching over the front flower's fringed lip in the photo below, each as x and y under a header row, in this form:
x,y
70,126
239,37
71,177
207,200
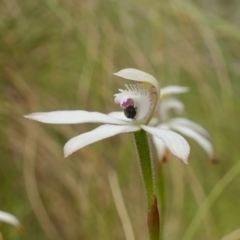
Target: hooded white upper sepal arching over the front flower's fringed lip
x,y
138,75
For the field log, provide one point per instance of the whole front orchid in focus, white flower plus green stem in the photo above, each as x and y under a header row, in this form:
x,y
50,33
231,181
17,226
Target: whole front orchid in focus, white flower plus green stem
x,y
139,102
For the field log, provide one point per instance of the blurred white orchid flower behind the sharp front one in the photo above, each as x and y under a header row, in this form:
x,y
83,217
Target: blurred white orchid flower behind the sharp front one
x,y
181,125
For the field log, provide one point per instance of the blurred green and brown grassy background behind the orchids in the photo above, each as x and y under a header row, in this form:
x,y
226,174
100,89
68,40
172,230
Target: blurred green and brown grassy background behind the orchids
x,y
60,54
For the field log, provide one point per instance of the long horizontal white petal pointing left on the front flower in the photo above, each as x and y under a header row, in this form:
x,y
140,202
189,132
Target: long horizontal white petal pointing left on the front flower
x,y
72,117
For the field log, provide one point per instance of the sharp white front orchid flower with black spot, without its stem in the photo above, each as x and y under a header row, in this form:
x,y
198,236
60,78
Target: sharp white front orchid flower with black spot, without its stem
x,y
138,101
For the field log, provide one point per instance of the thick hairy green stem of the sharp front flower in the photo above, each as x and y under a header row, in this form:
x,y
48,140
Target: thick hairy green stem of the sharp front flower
x,y
146,169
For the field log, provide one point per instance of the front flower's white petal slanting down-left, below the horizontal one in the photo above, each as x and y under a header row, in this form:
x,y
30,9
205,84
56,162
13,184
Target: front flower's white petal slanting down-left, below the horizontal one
x,y
95,135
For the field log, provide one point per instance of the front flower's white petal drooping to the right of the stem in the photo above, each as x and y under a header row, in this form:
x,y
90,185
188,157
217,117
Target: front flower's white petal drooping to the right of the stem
x,y
176,144
